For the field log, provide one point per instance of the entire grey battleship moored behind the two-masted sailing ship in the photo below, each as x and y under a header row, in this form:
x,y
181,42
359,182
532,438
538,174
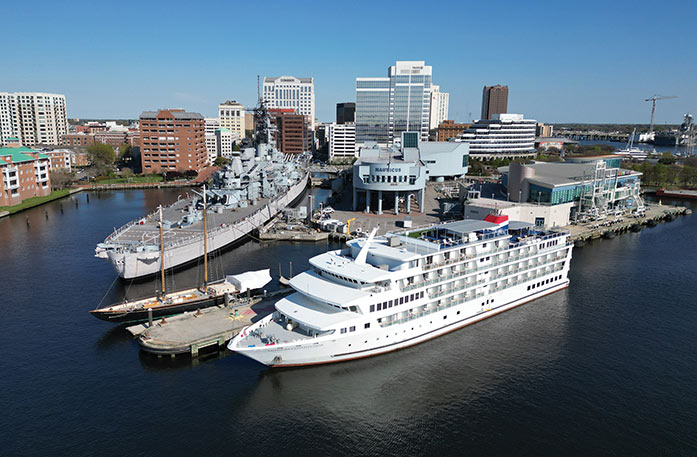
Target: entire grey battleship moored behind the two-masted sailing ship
x,y
257,184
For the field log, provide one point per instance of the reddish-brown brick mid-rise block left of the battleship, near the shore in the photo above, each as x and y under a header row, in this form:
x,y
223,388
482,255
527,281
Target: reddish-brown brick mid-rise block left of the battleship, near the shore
x,y
172,140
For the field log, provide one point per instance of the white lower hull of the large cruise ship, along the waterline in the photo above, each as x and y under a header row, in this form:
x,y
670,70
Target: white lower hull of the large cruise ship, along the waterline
x,y
334,349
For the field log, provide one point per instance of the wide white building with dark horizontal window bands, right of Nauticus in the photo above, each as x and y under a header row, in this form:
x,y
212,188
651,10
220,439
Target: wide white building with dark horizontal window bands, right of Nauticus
x,y
506,135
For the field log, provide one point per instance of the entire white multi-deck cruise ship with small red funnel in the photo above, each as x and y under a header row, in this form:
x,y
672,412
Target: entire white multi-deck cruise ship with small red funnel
x,y
382,294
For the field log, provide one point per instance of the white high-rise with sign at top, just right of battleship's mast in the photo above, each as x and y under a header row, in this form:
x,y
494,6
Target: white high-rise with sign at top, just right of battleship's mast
x,y
289,92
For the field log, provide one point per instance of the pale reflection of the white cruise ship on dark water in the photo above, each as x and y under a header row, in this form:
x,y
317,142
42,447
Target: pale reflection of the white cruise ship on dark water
x,y
520,345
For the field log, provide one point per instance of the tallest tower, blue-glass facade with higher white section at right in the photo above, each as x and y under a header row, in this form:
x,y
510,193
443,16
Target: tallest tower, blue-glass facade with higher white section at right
x,y
386,107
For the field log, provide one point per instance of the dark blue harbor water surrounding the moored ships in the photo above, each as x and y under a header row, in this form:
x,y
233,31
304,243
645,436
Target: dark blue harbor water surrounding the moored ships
x,y
605,367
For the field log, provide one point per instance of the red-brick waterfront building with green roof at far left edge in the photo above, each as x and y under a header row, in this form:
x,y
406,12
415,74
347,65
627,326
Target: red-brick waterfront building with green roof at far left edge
x,y
25,174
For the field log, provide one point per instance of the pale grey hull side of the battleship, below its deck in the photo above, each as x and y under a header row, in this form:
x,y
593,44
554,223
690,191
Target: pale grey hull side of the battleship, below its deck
x,y
131,265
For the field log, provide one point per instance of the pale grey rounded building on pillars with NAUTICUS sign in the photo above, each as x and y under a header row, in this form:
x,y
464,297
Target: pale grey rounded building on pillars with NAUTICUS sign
x,y
399,173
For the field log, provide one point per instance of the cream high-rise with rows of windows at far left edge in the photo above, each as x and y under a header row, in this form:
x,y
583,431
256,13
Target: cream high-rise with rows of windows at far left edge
x,y
33,117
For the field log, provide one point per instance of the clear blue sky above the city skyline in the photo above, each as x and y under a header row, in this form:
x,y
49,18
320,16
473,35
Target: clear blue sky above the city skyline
x,y
581,61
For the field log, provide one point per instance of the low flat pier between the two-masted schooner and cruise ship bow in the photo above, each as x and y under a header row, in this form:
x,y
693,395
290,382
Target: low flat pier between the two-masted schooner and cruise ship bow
x,y
190,332
